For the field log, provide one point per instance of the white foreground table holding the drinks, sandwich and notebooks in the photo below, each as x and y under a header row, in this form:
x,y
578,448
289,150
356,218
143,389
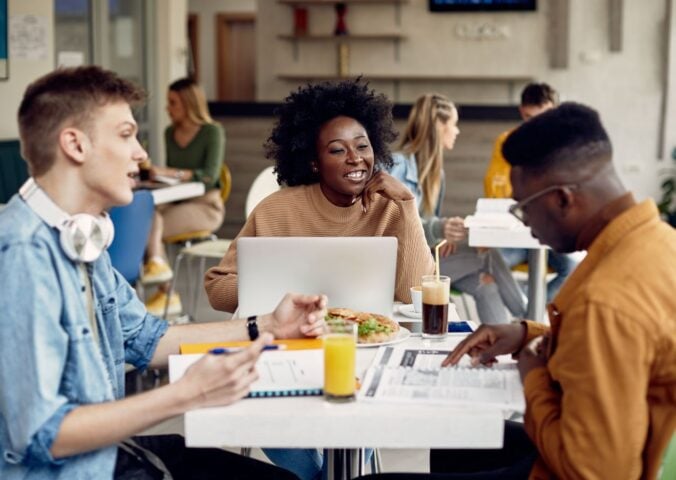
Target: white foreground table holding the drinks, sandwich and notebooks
x,y
311,422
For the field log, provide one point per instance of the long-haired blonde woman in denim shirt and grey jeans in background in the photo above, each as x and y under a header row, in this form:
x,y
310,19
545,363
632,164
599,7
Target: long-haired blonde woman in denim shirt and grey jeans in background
x,y
432,128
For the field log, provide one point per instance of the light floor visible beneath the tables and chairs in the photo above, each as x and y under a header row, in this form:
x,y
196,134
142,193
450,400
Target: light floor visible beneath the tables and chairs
x,y
392,460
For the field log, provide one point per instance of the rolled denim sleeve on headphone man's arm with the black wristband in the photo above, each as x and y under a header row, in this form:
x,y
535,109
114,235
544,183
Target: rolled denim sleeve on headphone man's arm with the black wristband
x,y
140,330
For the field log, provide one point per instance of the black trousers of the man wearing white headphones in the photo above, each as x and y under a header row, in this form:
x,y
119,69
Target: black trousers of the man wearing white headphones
x,y
192,463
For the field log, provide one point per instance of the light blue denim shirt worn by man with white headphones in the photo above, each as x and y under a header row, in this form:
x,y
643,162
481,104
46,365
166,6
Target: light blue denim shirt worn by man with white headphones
x,y
49,361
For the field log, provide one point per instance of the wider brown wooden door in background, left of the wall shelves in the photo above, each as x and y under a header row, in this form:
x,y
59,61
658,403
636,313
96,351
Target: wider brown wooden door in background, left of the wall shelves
x,y
236,56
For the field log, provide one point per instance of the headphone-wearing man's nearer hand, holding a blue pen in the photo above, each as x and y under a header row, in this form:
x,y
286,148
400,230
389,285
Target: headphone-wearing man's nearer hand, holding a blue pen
x,y
222,379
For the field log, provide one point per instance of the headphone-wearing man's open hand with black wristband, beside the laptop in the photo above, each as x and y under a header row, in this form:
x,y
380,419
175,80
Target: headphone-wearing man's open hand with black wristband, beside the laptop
x,y
298,315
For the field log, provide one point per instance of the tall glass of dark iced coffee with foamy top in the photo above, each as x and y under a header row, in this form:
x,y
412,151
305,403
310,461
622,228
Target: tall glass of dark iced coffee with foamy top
x,y
435,305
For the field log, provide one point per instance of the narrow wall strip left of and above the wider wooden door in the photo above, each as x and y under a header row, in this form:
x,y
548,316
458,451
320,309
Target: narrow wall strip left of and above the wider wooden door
x,y
206,10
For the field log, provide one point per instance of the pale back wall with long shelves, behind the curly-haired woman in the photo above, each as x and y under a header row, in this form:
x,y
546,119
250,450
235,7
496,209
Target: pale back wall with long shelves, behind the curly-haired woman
x,y
626,87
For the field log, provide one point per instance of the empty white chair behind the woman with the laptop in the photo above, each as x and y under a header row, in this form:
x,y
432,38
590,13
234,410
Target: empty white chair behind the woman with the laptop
x,y
264,184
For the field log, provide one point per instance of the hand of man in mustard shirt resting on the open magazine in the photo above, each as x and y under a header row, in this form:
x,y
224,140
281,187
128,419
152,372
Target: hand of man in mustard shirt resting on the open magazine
x,y
488,342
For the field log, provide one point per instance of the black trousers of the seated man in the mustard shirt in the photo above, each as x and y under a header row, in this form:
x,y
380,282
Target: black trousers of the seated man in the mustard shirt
x,y
512,462
